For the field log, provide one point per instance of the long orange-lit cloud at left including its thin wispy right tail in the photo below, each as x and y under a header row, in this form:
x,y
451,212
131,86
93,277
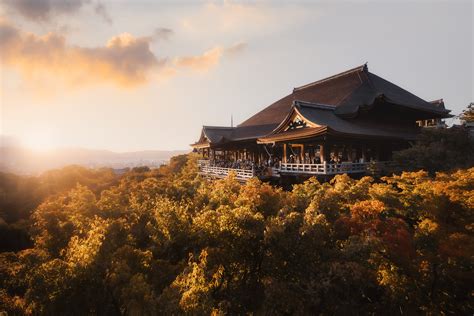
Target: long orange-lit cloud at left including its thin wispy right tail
x,y
125,60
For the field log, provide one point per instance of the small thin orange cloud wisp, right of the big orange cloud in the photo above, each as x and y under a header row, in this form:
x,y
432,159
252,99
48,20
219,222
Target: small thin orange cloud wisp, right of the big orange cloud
x,y
209,58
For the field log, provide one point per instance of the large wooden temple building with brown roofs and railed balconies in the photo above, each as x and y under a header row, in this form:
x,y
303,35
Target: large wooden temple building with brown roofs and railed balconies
x,y
340,124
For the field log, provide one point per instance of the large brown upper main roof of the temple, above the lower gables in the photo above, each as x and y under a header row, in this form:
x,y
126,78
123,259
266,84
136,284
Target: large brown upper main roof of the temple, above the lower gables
x,y
347,92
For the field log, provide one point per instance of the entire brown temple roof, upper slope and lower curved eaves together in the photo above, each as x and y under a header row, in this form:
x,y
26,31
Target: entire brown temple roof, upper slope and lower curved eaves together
x,y
344,95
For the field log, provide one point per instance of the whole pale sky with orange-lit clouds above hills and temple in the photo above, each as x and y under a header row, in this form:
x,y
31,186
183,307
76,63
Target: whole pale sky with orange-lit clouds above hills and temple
x,y
143,75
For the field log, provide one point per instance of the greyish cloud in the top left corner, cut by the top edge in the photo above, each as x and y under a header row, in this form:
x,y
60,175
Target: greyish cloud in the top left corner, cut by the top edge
x,y
46,10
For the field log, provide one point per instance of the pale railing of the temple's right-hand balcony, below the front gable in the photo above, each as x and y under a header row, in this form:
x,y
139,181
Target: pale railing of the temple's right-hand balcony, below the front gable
x,y
324,168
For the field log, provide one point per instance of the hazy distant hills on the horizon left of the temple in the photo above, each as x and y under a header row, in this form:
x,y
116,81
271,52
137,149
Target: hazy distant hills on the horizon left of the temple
x,y
20,160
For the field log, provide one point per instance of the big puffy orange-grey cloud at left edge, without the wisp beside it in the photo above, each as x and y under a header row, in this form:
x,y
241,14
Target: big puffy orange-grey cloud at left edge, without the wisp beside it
x,y
125,60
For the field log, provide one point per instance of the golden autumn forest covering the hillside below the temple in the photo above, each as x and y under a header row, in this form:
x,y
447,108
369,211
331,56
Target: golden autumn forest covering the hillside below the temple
x,y
166,241
